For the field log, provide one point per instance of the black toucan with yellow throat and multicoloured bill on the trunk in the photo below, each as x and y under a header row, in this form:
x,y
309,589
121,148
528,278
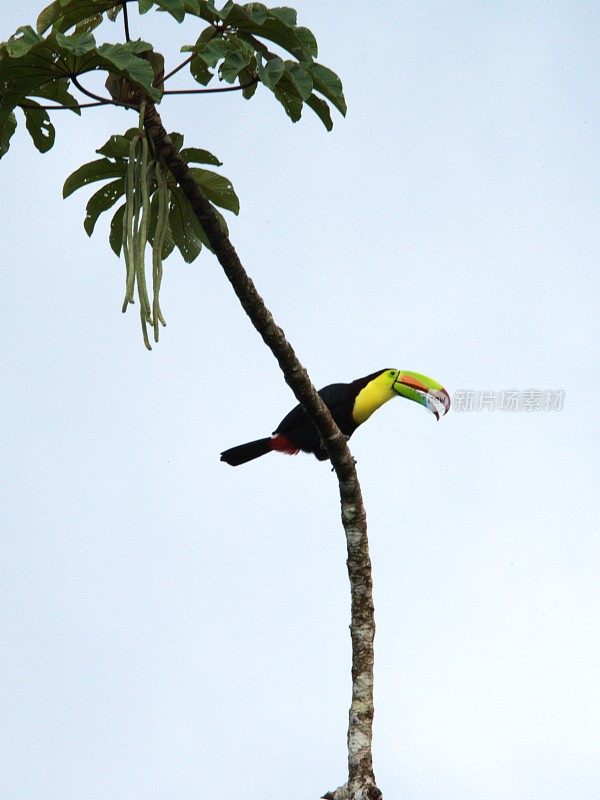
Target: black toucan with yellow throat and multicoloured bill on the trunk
x,y
350,405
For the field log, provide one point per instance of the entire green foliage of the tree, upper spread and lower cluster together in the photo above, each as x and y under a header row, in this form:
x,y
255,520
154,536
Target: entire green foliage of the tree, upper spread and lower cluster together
x,y
241,46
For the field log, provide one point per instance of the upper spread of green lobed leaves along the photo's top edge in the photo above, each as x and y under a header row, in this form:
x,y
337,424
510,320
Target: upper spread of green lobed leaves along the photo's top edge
x,y
249,44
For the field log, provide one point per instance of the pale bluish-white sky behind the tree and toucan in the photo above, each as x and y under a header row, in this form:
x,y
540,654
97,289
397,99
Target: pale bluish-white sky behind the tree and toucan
x,y
175,628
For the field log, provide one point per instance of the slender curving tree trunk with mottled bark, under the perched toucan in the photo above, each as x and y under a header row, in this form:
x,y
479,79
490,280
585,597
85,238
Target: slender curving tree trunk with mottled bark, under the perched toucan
x,y
361,781
